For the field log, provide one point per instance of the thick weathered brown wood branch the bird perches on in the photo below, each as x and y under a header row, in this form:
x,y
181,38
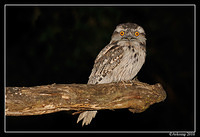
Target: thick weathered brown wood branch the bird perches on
x,y
135,95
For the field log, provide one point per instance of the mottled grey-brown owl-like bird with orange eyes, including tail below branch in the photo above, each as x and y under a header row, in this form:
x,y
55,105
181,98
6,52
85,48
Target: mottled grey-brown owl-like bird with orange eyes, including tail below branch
x,y
120,60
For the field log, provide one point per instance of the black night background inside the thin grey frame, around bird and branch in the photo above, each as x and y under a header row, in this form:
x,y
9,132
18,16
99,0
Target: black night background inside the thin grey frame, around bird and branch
x,y
46,45
